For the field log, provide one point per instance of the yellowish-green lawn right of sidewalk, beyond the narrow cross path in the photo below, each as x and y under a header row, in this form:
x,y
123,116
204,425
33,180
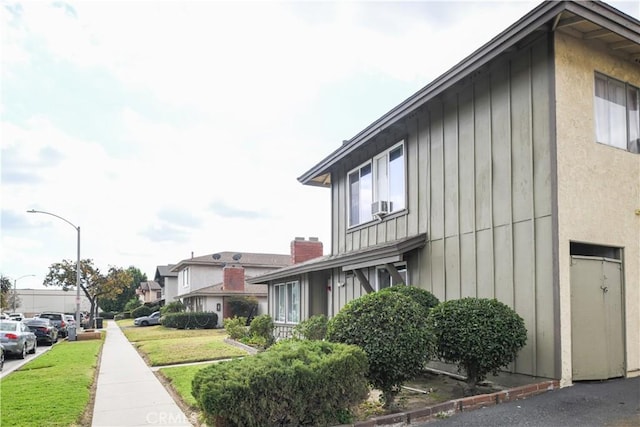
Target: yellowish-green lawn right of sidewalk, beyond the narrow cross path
x,y
166,346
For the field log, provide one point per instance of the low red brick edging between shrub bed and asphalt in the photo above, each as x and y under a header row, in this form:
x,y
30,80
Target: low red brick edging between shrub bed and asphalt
x,y
460,405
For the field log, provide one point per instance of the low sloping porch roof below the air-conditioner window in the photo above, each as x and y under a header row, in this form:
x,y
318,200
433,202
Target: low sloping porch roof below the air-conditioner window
x,y
376,255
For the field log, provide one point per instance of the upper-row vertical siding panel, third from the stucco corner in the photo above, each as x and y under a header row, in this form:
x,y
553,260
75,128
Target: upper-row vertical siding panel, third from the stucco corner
x,y
501,180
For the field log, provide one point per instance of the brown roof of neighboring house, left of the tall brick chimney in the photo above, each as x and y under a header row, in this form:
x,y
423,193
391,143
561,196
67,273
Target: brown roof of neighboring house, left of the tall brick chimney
x,y
243,259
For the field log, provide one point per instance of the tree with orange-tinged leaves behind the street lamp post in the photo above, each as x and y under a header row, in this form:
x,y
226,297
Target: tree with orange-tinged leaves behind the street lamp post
x,y
93,283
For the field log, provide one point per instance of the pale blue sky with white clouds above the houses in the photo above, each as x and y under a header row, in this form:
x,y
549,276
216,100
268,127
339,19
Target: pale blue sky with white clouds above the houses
x,y
166,128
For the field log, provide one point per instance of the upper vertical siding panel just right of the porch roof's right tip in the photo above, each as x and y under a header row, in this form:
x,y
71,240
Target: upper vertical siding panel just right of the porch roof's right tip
x,y
436,222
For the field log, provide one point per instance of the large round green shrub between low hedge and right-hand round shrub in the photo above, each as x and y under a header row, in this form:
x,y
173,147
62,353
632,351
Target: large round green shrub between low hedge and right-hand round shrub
x,y
391,329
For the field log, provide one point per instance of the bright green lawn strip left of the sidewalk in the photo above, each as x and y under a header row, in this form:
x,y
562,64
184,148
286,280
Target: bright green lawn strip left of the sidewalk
x,y
52,390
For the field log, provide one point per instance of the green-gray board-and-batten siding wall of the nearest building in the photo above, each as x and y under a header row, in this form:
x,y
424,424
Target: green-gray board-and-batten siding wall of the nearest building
x,y
479,183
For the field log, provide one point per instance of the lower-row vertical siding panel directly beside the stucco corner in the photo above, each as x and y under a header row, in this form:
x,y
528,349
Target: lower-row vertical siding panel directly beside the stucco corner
x,y
544,299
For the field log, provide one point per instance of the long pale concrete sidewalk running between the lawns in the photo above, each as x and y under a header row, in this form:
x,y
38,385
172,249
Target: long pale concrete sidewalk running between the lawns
x,y
128,393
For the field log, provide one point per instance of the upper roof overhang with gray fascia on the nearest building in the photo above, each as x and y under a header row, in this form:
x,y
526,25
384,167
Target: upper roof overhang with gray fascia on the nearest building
x,y
593,20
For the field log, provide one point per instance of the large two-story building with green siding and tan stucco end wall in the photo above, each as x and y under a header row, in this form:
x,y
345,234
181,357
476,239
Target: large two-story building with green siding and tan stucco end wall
x,y
515,175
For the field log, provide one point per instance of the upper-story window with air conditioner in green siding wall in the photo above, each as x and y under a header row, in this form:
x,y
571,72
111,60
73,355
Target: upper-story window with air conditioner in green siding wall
x,y
377,187
